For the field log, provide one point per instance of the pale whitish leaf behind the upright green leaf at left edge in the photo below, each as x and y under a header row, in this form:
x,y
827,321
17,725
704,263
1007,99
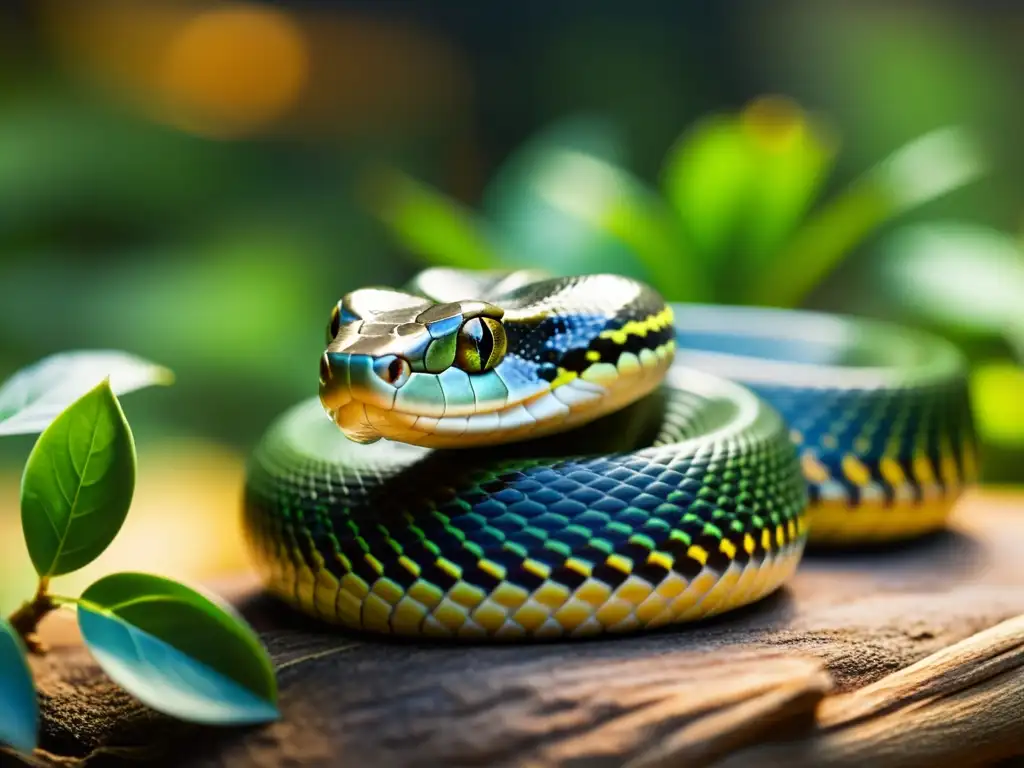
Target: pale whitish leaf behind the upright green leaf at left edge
x,y
34,397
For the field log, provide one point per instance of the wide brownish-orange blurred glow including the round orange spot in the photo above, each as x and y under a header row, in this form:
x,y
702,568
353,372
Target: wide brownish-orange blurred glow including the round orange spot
x,y
242,69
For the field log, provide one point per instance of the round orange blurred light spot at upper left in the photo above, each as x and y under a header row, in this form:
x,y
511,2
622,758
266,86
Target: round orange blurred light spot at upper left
x,y
234,70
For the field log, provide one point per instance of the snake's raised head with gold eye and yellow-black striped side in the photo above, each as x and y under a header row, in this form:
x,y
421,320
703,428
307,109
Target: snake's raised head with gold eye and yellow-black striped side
x,y
546,357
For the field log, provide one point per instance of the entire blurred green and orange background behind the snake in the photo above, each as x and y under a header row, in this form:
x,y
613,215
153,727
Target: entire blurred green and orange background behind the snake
x,y
198,183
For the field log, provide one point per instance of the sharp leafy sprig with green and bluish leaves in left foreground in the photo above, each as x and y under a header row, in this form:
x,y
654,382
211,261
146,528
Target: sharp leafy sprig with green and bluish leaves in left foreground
x,y
180,652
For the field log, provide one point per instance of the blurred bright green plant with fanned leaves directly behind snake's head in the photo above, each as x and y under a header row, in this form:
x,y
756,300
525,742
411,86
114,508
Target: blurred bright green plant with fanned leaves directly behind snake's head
x,y
738,221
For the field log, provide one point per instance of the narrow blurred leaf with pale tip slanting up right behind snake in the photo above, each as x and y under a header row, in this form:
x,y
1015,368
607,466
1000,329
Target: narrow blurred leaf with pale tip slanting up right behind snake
x,y
925,169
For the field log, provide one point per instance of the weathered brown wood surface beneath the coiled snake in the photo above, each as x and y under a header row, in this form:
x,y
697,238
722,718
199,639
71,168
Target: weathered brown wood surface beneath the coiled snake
x,y
879,659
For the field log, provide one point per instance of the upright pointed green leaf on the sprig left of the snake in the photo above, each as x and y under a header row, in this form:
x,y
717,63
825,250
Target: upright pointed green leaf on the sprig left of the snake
x,y
78,484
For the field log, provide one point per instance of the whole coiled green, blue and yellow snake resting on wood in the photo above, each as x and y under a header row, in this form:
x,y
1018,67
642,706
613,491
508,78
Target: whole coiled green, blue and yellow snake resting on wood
x,y
565,457
